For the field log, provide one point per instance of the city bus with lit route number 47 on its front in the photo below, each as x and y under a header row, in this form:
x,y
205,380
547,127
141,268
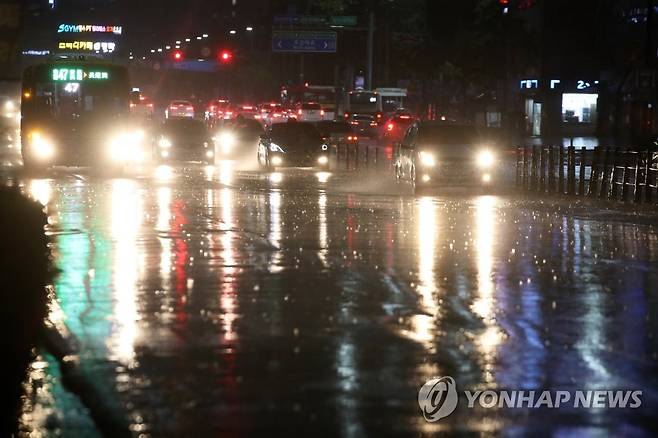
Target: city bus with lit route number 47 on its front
x,y
75,112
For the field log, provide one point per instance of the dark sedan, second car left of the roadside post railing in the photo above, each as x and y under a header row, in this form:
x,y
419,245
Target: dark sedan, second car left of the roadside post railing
x,y
293,144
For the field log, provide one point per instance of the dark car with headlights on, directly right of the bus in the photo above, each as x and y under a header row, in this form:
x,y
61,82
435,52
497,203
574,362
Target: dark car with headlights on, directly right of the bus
x,y
185,139
